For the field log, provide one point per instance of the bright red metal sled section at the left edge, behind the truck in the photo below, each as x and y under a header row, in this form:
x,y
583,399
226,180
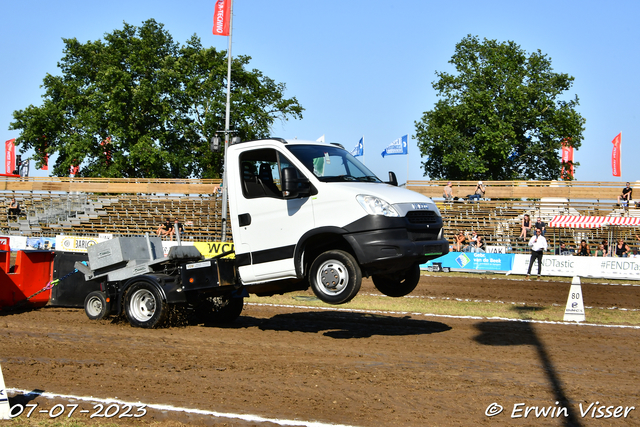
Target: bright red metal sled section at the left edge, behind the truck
x,y
31,272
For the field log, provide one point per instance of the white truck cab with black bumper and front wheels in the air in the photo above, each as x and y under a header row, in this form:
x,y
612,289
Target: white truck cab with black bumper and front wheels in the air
x,y
307,213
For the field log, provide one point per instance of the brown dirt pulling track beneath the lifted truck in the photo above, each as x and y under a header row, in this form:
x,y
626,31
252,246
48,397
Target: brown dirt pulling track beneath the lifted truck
x,y
341,367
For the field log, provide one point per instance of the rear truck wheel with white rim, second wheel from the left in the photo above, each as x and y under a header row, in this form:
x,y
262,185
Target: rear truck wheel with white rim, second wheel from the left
x,y
144,306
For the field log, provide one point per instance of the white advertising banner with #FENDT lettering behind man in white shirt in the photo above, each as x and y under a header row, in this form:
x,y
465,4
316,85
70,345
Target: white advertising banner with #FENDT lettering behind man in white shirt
x,y
556,265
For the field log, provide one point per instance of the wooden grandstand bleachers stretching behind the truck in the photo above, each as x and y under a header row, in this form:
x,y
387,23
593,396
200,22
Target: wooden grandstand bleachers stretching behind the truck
x,y
136,206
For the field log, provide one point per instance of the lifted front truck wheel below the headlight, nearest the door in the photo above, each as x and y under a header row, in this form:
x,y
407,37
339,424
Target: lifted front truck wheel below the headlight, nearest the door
x,y
335,277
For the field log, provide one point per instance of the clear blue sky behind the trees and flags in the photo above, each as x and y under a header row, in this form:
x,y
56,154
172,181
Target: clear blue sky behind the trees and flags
x,y
363,67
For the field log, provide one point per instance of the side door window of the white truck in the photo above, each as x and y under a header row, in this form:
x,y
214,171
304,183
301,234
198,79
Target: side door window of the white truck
x,y
260,171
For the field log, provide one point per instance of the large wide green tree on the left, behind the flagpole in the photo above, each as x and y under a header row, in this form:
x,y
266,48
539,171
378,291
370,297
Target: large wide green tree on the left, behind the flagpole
x,y
137,104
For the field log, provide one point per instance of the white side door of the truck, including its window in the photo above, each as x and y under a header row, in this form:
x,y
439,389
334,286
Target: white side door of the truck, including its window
x,y
269,227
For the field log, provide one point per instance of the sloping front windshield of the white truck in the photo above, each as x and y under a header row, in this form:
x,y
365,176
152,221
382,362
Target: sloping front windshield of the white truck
x,y
332,164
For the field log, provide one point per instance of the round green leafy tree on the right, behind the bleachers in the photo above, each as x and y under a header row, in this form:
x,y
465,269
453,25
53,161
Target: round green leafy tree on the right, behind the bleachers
x,y
500,117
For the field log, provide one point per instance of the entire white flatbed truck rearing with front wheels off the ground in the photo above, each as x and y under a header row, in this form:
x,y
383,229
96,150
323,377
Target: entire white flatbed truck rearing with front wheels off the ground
x,y
302,214
